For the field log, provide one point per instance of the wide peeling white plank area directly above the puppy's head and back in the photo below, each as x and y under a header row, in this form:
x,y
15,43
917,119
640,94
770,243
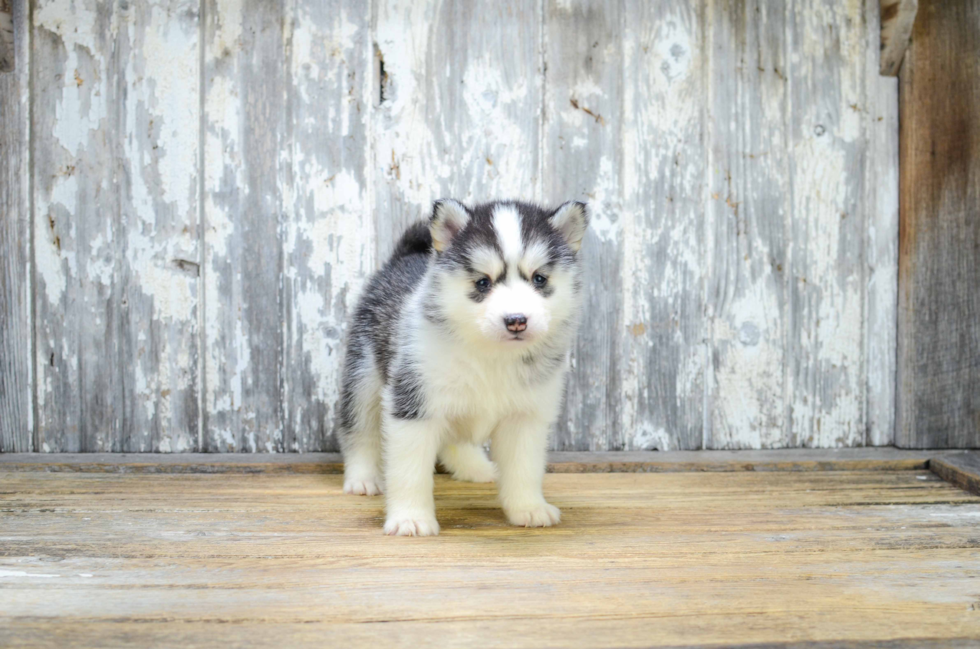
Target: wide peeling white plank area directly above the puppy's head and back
x,y
461,107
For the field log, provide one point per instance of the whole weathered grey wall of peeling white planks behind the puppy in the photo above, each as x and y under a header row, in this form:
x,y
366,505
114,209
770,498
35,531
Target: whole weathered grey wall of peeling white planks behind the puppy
x,y
212,182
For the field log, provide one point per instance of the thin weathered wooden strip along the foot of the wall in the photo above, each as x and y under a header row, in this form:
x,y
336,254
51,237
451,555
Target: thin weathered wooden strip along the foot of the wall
x,y
845,459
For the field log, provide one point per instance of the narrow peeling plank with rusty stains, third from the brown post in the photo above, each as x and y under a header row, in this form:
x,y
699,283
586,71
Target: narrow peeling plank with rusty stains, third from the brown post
x,y
749,214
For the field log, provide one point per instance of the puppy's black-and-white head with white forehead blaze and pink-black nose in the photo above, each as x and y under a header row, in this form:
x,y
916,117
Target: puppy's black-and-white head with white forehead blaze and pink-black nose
x,y
507,272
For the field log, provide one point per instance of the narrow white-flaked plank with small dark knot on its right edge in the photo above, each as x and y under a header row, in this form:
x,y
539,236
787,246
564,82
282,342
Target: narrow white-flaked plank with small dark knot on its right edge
x,y
158,50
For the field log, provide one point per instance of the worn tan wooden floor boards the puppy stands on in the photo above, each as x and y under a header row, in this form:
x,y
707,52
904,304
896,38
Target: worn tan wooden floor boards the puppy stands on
x,y
839,558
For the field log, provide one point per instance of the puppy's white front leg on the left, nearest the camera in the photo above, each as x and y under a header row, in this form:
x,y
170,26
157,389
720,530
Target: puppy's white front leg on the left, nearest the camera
x,y
410,447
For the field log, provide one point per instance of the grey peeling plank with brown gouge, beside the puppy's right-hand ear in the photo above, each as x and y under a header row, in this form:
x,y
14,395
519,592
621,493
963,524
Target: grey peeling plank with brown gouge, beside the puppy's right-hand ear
x,y
583,159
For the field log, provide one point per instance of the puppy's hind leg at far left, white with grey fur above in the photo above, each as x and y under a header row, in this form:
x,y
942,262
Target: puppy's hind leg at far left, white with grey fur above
x,y
361,434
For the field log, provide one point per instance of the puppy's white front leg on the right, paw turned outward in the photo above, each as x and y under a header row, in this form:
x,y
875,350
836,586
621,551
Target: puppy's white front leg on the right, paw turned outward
x,y
519,448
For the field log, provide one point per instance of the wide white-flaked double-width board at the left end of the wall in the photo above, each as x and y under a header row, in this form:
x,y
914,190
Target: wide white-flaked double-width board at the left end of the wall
x,y
115,224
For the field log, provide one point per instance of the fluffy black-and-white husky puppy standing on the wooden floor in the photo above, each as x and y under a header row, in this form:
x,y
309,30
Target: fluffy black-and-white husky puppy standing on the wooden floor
x,y
462,337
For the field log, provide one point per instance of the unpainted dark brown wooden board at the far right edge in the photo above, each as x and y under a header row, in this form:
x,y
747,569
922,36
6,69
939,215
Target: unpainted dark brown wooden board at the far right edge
x,y
939,255
